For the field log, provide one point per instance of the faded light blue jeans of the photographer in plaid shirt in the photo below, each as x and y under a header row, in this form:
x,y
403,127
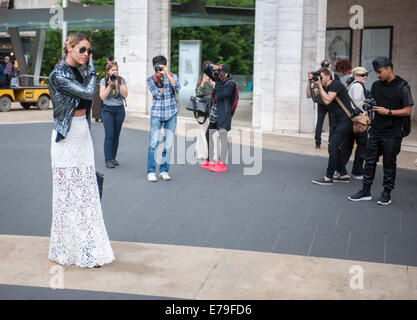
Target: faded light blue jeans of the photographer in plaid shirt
x,y
155,131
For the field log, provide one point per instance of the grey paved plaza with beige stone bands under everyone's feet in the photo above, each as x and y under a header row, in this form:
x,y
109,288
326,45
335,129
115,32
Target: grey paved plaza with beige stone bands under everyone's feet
x,y
206,235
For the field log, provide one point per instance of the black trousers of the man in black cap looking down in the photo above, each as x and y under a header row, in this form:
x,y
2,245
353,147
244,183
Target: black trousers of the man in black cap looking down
x,y
389,148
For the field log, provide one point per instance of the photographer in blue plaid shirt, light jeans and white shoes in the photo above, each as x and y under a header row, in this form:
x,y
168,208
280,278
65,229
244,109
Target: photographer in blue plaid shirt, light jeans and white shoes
x,y
163,85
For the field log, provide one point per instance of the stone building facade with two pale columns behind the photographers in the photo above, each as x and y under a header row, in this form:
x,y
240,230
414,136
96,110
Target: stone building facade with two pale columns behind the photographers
x,y
290,41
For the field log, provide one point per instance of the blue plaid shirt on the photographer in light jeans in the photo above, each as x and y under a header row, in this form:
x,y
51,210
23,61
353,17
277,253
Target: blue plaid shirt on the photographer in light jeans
x,y
164,105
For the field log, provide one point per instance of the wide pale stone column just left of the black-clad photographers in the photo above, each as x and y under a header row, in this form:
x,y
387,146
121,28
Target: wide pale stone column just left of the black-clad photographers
x,y
289,42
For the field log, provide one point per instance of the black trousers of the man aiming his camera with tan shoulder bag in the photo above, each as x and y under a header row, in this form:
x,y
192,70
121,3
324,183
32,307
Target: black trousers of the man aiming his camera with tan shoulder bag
x,y
340,148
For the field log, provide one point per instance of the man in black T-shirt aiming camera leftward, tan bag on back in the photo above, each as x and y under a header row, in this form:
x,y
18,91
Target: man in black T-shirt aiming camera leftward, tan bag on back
x,y
340,130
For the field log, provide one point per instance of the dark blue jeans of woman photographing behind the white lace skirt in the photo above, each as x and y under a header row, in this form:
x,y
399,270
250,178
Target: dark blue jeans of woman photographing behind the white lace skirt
x,y
112,118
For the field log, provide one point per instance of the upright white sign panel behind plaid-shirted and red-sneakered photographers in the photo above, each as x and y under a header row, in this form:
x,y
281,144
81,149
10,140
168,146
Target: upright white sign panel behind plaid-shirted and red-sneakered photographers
x,y
189,69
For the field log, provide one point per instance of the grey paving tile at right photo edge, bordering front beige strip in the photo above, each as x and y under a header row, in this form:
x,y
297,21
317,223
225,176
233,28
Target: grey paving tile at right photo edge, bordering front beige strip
x,y
401,249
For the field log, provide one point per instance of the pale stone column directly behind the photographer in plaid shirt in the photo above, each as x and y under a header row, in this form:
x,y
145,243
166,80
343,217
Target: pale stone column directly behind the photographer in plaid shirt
x,y
142,30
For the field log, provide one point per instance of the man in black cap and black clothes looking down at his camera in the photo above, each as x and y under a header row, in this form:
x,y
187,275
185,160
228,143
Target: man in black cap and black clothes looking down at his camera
x,y
393,104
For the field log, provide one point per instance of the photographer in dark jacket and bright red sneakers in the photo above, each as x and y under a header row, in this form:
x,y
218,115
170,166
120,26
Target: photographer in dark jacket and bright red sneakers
x,y
223,97
